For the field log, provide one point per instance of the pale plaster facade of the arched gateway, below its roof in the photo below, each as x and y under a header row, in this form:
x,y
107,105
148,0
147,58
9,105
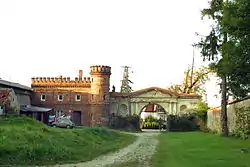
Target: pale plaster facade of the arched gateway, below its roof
x,y
135,104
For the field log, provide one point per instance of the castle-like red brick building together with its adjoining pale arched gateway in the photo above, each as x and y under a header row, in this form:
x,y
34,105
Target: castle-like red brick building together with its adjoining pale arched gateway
x,y
88,100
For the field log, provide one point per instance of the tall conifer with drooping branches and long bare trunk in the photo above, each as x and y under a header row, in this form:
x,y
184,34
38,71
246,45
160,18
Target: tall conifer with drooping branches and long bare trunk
x,y
212,50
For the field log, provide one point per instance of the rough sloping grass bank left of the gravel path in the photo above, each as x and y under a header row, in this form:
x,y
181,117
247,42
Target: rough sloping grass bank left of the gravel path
x,y
25,141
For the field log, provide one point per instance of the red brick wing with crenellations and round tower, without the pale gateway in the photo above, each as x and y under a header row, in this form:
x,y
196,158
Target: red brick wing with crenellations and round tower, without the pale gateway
x,y
86,99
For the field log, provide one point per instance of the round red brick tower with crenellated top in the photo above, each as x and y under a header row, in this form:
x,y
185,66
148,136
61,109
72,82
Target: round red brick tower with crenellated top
x,y
99,94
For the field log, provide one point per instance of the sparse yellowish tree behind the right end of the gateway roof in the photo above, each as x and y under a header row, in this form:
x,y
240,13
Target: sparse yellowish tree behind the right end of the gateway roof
x,y
192,82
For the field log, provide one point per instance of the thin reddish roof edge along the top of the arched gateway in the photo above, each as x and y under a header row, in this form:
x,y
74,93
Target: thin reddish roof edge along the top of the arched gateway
x,y
164,91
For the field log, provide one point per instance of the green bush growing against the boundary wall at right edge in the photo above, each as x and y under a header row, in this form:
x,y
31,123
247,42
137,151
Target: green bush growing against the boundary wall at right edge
x,y
242,124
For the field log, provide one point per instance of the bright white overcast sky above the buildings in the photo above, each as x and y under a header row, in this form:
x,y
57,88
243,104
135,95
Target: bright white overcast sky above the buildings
x,y
49,38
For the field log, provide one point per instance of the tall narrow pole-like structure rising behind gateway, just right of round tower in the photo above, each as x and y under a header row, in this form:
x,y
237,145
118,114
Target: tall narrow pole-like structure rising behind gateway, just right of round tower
x,y
125,87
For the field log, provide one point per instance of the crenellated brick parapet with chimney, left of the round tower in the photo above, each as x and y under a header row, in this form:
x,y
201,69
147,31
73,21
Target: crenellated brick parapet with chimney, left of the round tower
x,y
61,81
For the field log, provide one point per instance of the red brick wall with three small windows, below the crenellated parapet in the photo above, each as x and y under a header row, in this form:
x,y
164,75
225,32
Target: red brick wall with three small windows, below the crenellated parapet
x,y
68,105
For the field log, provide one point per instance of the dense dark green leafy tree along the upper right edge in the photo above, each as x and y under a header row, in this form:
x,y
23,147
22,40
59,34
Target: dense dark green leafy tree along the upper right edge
x,y
236,22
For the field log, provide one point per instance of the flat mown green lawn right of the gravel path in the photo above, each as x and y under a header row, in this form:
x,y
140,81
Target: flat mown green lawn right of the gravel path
x,y
196,149
